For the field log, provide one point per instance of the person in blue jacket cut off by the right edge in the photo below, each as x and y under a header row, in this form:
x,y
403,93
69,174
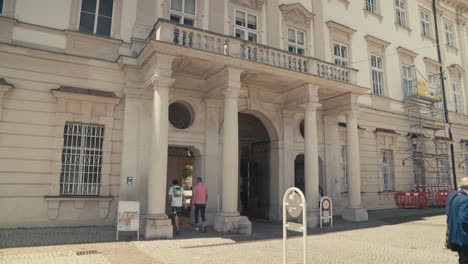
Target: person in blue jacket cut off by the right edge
x,y
457,221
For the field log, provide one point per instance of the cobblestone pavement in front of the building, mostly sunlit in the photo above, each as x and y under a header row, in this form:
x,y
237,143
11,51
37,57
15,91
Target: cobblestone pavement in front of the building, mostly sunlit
x,y
394,238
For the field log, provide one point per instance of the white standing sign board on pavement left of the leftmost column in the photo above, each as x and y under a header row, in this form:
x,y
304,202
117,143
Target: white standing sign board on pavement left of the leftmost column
x,y
128,217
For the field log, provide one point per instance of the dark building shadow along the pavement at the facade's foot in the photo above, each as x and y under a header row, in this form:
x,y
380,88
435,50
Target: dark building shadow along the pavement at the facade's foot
x,y
262,230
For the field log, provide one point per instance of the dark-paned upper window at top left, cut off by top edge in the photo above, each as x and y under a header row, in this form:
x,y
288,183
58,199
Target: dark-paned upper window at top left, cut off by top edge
x,y
96,16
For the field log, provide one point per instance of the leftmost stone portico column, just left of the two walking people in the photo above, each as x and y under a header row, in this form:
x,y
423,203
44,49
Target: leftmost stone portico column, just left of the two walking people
x,y
158,225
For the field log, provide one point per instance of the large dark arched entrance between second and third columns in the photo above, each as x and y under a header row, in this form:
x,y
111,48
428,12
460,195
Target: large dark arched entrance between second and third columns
x,y
254,167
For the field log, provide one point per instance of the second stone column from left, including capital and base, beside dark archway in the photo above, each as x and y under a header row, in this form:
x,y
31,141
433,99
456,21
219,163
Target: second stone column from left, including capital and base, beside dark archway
x,y
229,220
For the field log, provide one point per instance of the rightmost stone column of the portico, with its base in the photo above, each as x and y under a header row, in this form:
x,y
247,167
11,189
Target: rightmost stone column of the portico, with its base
x,y
354,212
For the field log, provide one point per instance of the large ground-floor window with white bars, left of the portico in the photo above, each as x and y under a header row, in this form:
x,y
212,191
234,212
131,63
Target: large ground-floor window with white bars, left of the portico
x,y
81,159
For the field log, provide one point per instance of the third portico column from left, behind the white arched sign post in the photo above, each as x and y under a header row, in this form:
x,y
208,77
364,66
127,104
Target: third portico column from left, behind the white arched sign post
x,y
311,163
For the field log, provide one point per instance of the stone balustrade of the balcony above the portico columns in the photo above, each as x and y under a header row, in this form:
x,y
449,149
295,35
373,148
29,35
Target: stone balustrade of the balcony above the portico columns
x,y
190,37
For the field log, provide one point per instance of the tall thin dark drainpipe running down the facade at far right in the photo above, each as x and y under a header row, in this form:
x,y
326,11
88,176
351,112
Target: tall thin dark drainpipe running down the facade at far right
x,y
454,174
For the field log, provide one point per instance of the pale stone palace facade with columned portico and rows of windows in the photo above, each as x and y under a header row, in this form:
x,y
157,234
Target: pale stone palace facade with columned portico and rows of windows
x,y
105,100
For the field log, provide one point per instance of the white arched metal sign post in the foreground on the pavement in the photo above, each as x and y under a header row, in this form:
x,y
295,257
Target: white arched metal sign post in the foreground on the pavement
x,y
294,204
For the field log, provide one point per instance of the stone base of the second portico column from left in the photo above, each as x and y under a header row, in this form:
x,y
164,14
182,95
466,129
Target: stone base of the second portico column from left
x,y
233,224
